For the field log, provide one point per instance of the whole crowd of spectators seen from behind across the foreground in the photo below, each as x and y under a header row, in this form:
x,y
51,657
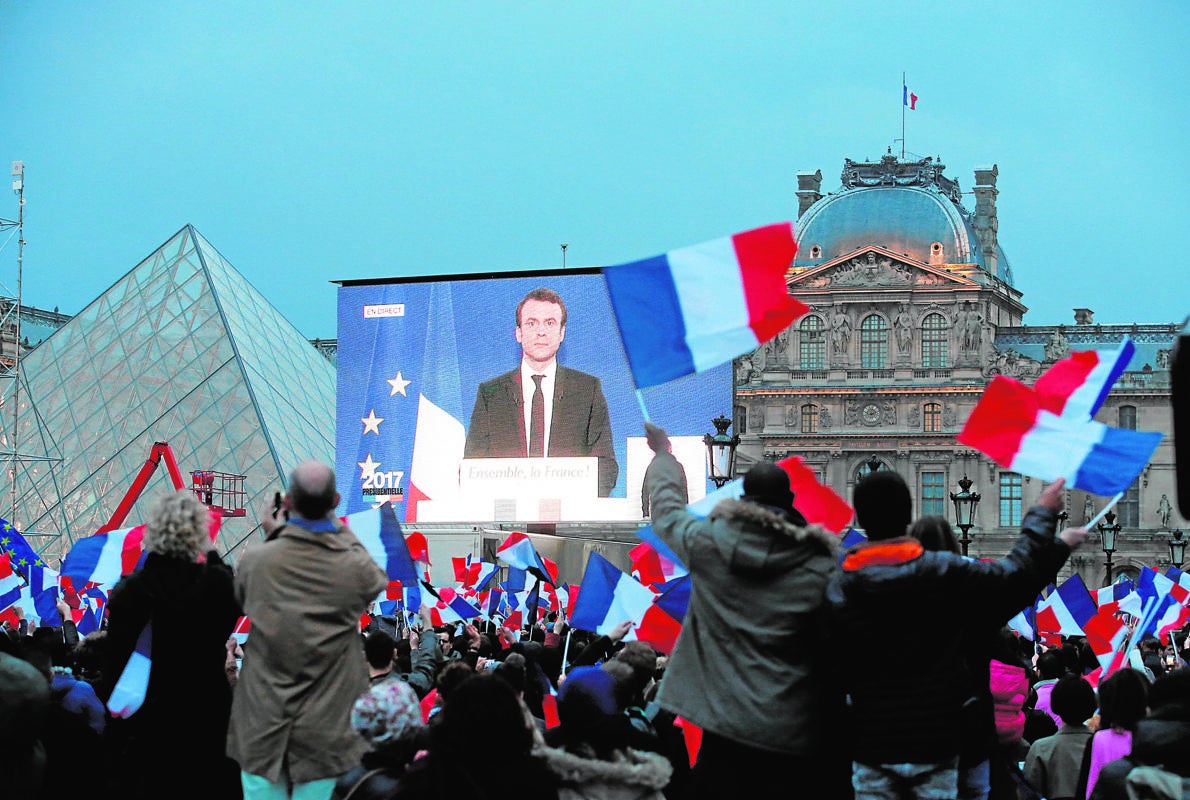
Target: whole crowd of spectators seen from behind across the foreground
x,y
884,672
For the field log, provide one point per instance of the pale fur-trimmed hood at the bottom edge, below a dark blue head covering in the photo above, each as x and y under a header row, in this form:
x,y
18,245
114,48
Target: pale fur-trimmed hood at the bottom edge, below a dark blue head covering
x,y
631,774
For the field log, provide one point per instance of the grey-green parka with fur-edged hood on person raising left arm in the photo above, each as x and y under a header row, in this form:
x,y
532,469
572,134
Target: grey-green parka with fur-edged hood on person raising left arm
x,y
750,664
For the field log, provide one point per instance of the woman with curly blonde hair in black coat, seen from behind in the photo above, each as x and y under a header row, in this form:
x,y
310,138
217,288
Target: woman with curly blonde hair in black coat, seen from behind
x,y
174,743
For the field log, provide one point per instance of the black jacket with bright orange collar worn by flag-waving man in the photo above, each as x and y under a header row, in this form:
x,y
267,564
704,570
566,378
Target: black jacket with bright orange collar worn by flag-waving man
x,y
912,608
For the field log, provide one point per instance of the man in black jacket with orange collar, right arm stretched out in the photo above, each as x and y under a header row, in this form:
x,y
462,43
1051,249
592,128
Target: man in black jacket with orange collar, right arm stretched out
x,y
909,708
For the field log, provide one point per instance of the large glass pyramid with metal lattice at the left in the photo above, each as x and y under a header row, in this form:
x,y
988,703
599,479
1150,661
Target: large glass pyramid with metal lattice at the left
x,y
183,351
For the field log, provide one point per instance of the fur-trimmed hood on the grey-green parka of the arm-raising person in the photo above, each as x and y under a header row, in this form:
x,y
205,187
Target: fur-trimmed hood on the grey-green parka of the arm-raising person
x,y
769,535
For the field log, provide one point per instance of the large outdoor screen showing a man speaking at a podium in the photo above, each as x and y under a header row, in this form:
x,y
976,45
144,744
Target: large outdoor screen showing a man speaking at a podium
x,y
436,416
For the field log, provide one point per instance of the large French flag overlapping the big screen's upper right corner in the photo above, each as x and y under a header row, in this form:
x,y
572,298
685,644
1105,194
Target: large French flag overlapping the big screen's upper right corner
x,y
700,307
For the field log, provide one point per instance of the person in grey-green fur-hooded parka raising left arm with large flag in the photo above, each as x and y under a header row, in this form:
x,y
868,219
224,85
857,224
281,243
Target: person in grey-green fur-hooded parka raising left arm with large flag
x,y
751,665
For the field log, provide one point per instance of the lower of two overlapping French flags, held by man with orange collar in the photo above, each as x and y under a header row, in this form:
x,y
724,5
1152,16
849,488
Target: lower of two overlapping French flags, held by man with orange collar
x,y
1011,428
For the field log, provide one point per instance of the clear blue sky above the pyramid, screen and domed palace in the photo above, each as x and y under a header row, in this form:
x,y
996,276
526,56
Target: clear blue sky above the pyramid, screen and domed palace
x,y
312,142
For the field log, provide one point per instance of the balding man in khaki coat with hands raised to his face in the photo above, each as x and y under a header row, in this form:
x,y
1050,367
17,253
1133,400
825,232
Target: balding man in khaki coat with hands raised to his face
x,y
305,589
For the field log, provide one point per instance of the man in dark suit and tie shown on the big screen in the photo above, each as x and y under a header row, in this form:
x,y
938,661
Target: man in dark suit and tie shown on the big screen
x,y
542,409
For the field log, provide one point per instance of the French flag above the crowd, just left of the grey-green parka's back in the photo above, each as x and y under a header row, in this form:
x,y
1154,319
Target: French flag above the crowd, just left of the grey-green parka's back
x,y
610,597
